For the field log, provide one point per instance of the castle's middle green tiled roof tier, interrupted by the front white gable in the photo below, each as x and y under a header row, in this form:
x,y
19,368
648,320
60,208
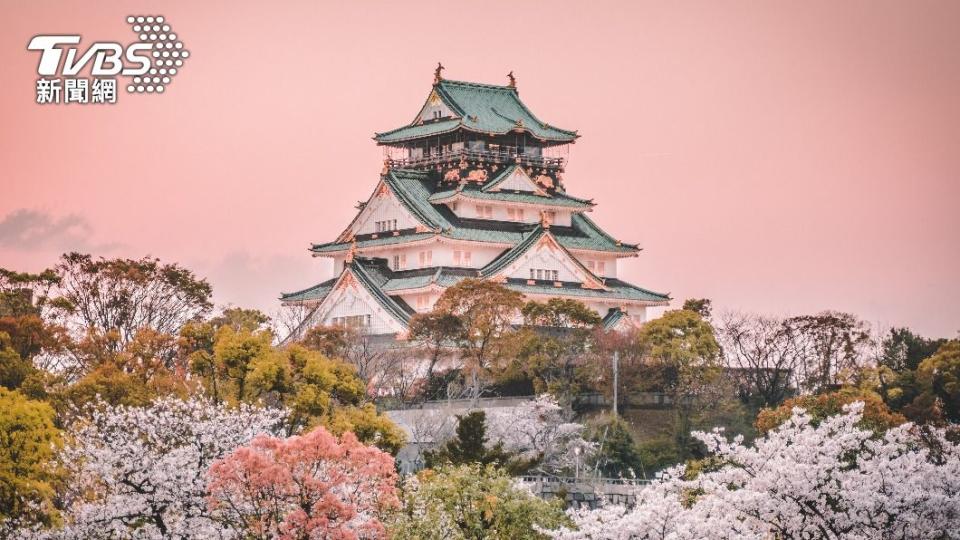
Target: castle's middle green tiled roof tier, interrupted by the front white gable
x,y
413,189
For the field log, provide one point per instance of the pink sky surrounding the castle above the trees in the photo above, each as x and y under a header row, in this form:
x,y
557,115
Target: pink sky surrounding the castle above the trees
x,y
773,157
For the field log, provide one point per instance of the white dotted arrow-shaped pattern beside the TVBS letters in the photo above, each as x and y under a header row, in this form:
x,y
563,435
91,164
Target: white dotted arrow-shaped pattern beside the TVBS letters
x,y
167,53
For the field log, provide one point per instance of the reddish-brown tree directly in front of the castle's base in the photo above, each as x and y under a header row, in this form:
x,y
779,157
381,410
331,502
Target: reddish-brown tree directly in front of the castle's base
x,y
486,311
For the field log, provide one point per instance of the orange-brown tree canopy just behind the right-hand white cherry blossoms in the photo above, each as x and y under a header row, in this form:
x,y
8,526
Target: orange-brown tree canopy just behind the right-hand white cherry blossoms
x,y
877,417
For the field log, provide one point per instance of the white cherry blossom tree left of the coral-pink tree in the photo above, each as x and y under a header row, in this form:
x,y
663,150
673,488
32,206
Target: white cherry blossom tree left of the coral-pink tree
x,y
141,471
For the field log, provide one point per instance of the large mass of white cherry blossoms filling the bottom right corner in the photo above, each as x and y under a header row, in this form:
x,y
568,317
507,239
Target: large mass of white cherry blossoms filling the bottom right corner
x,y
833,480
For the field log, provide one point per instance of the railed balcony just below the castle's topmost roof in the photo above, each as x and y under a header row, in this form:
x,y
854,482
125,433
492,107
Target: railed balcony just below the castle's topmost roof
x,y
502,155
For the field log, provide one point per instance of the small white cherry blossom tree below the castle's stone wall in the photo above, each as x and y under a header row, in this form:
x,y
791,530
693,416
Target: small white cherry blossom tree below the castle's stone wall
x,y
539,430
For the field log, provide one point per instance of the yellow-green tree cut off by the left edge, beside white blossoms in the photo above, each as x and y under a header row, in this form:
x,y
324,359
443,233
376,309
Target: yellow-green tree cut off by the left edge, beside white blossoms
x,y
28,473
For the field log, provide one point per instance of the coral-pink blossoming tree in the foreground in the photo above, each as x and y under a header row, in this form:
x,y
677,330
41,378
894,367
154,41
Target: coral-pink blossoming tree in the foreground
x,y
309,486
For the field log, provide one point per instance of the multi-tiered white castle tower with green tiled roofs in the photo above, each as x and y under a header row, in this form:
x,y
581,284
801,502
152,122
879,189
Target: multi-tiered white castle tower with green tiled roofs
x,y
472,187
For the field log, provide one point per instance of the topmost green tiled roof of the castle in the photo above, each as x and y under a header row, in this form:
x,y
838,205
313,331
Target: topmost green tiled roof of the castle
x,y
483,108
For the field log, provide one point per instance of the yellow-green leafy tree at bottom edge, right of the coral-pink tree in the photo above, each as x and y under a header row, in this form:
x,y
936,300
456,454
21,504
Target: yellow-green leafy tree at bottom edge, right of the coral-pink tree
x,y
471,502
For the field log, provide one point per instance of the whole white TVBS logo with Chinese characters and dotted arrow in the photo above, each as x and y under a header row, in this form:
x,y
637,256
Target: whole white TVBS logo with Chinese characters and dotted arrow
x,y
150,63
